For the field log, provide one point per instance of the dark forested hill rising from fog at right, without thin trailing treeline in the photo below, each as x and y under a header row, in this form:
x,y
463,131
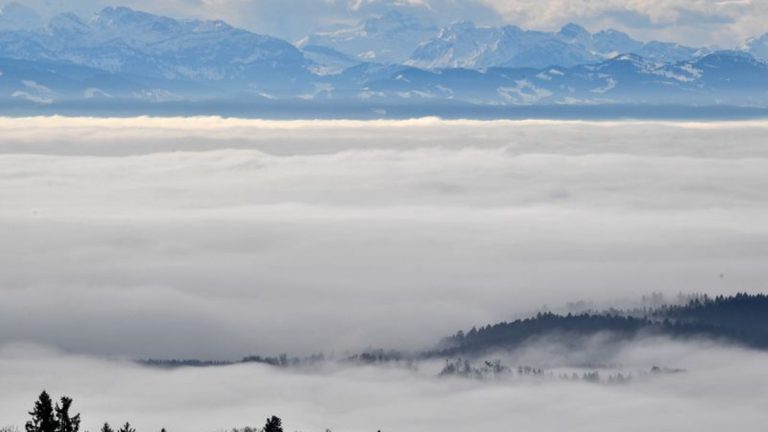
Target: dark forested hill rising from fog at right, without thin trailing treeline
x,y
740,319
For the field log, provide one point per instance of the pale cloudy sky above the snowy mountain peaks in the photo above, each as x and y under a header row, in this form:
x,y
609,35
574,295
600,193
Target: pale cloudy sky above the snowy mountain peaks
x,y
725,23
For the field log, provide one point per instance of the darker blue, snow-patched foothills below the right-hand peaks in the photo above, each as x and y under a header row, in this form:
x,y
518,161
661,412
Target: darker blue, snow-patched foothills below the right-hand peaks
x,y
719,78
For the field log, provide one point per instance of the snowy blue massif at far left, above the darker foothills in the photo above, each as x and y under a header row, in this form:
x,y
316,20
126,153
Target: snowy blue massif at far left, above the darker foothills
x,y
121,40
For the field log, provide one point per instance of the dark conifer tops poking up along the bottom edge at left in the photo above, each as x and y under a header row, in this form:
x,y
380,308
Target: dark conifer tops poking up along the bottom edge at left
x,y
47,417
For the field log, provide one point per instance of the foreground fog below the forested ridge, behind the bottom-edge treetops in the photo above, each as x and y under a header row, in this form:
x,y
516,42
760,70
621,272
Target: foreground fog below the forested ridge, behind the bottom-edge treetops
x,y
722,389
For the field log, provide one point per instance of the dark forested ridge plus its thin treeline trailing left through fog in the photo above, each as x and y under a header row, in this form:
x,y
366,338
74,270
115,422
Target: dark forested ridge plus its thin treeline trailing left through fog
x,y
740,319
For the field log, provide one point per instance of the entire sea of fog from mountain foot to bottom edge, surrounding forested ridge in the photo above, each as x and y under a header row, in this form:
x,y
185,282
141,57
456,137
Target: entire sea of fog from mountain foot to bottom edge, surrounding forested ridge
x,y
218,238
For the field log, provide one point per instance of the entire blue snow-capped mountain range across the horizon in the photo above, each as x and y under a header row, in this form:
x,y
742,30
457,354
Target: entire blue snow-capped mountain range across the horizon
x,y
121,54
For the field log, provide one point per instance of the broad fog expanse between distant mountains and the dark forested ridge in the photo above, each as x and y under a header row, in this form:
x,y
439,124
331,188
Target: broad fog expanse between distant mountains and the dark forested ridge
x,y
217,238
